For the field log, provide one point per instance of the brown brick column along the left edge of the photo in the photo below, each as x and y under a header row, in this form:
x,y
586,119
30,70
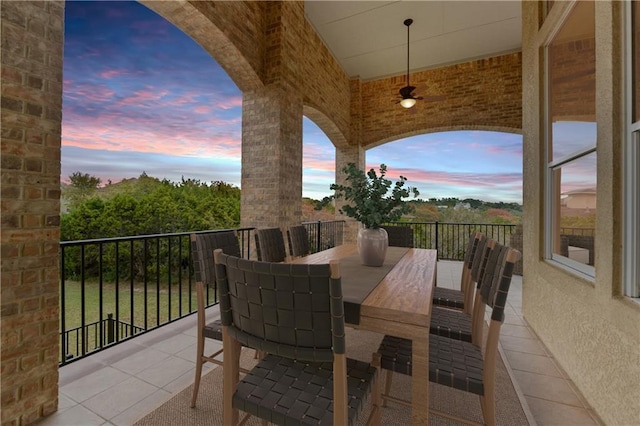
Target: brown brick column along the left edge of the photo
x,y
32,41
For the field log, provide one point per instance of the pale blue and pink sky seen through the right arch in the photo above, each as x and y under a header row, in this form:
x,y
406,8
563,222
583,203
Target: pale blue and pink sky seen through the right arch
x,y
457,164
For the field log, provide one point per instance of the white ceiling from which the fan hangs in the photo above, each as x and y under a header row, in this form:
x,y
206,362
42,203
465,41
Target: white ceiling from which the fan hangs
x,y
369,38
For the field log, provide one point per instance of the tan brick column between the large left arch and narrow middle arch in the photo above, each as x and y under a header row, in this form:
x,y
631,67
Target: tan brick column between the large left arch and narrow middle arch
x,y
272,127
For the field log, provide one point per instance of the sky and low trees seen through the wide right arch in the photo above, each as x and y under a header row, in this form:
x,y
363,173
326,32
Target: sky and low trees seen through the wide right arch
x,y
465,176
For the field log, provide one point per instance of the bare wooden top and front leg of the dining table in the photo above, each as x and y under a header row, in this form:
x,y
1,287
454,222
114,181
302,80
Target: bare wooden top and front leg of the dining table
x,y
399,305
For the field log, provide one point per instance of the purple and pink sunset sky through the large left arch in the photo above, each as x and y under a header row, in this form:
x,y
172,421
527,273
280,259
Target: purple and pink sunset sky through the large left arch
x,y
141,96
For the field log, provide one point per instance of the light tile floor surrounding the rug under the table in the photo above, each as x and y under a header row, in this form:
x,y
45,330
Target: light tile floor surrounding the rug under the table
x,y
119,385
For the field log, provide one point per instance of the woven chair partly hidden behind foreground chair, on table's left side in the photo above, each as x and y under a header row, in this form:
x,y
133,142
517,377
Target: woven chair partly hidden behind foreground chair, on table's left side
x,y
202,247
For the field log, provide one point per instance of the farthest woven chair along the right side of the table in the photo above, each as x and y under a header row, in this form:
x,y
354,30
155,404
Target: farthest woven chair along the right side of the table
x,y
463,298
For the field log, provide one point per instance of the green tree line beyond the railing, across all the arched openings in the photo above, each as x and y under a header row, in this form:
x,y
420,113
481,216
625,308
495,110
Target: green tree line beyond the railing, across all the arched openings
x,y
147,205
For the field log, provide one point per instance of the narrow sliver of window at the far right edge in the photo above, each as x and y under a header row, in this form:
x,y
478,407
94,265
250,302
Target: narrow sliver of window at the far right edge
x,y
632,152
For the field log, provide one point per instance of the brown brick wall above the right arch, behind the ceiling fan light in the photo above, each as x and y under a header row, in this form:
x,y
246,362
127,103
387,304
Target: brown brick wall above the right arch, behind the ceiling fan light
x,y
484,94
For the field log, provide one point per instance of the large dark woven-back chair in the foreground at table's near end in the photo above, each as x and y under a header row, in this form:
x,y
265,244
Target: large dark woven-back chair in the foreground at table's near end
x,y
295,314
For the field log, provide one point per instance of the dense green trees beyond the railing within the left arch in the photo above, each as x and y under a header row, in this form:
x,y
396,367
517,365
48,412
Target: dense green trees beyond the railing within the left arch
x,y
145,206
